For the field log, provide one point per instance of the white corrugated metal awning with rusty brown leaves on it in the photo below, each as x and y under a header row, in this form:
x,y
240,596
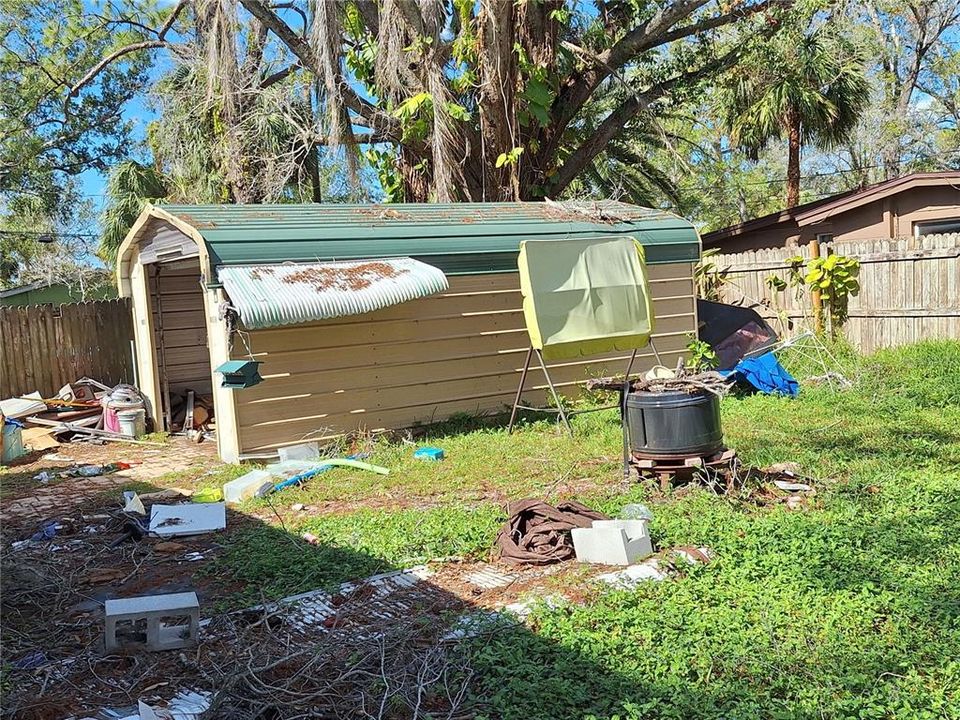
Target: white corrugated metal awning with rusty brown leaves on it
x,y
292,293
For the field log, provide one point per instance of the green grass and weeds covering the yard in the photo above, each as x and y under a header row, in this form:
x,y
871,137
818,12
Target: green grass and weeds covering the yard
x,y
847,608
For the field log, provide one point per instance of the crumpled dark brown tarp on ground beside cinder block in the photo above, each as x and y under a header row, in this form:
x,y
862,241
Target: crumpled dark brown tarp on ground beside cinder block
x,y
539,534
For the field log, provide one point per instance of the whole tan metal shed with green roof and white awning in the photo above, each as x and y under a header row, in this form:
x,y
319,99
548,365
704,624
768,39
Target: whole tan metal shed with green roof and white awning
x,y
365,316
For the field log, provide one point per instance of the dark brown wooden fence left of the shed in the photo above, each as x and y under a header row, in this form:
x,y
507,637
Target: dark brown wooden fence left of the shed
x,y
43,347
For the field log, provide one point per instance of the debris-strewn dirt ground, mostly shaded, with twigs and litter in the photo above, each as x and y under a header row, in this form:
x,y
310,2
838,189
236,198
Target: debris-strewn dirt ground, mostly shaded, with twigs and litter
x,y
53,590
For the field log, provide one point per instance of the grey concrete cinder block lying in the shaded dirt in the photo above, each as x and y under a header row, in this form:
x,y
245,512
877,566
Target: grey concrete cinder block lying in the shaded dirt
x,y
152,622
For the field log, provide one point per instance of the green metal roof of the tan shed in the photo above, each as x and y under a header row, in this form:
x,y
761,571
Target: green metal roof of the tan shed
x,y
459,238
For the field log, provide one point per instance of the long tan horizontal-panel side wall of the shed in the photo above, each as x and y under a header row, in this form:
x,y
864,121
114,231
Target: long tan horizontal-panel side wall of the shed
x,y
422,361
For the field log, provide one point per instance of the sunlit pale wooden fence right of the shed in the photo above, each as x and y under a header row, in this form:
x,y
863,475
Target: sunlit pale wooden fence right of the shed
x,y
909,289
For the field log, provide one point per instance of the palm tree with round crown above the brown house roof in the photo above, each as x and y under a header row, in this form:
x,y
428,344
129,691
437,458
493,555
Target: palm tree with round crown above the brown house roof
x,y
807,86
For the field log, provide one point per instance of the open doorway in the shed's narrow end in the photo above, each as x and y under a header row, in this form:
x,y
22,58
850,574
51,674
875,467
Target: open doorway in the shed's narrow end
x,y
180,338
